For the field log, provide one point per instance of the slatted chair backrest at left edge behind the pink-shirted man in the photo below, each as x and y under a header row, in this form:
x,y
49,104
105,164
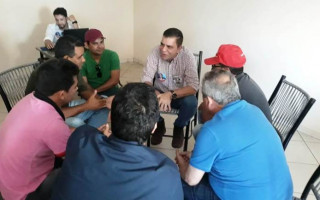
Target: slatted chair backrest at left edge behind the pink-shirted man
x,y
13,83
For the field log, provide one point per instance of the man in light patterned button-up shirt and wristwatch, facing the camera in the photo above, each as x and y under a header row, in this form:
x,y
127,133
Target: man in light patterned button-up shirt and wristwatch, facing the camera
x,y
176,82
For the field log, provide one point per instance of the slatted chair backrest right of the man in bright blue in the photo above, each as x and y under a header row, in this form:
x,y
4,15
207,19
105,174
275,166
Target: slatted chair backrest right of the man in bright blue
x,y
289,104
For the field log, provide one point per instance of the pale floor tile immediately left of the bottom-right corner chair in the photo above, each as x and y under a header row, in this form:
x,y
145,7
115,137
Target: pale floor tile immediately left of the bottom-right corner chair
x,y
300,174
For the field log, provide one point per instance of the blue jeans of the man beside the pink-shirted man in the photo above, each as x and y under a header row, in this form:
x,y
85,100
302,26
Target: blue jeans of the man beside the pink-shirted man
x,y
94,118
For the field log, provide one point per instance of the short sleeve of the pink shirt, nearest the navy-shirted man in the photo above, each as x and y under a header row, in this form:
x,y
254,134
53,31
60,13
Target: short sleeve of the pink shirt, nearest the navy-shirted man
x,y
58,134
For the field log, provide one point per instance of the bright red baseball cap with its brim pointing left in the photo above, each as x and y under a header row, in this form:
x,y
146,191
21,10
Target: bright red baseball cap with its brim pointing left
x,y
229,55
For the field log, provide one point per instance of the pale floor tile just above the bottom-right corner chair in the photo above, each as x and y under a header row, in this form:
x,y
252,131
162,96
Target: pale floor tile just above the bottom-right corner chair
x,y
298,151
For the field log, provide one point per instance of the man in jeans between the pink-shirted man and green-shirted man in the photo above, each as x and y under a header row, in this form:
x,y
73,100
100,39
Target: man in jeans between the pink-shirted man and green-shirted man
x,y
90,109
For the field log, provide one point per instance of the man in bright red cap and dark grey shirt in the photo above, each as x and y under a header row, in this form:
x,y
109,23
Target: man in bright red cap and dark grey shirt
x,y
231,57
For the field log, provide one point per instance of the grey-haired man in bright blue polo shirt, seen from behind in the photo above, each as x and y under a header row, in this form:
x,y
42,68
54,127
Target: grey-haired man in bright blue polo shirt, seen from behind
x,y
238,147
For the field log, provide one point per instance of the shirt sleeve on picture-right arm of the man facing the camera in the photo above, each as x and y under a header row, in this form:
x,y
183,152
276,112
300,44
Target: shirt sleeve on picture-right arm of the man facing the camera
x,y
191,73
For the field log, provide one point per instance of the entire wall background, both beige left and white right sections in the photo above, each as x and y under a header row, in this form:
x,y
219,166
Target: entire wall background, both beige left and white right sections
x,y
278,37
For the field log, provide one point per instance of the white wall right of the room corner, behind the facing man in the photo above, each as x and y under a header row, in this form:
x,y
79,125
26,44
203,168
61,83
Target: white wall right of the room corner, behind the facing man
x,y
278,37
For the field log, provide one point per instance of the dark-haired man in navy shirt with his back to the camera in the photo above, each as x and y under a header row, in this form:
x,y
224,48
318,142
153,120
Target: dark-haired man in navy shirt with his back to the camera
x,y
120,166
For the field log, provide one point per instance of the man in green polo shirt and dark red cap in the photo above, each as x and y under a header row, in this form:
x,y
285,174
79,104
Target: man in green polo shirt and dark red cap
x,y
102,67
